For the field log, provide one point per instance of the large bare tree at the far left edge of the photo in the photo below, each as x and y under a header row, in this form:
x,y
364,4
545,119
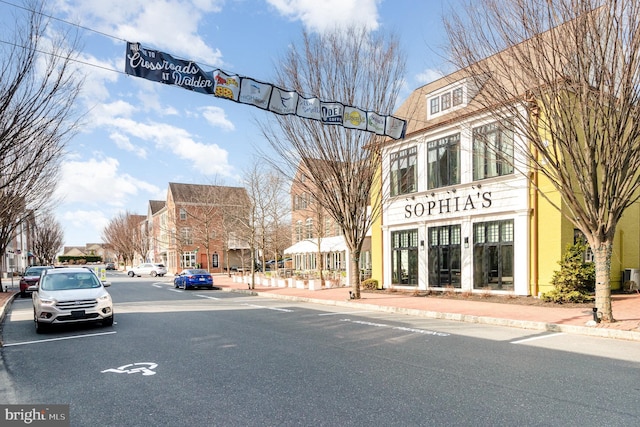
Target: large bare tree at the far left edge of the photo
x,y
37,91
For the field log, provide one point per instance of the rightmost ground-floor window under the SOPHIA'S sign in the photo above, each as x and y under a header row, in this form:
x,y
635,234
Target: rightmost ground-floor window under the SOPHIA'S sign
x,y
493,255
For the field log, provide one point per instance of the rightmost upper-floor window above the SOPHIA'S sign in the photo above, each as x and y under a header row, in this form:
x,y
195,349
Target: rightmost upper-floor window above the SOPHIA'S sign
x,y
492,151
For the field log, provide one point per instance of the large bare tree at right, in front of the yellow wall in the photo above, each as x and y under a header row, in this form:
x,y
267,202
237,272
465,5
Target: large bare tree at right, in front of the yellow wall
x,y
565,74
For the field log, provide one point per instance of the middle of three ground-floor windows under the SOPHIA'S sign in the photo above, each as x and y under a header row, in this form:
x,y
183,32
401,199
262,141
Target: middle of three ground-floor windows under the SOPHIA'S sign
x,y
444,256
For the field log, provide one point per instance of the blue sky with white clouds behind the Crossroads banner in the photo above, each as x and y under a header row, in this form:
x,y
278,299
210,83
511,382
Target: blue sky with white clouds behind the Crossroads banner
x,y
139,135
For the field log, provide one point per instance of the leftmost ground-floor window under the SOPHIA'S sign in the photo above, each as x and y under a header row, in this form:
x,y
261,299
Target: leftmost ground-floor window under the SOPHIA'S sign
x,y
404,257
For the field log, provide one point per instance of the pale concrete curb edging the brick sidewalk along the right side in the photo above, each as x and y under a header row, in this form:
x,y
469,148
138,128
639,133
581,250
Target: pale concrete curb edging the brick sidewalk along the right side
x,y
468,318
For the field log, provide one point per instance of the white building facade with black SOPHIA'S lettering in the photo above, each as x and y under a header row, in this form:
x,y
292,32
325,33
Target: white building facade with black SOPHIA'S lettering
x,y
457,213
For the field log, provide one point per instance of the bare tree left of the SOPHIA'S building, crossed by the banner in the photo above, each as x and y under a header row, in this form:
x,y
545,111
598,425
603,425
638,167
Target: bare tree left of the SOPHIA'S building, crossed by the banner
x,y
358,68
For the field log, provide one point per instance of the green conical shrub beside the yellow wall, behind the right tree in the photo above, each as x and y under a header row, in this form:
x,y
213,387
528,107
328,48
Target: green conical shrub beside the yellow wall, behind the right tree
x,y
575,281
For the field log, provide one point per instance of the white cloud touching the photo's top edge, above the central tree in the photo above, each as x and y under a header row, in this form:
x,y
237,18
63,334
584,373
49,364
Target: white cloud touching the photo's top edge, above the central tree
x,y
320,16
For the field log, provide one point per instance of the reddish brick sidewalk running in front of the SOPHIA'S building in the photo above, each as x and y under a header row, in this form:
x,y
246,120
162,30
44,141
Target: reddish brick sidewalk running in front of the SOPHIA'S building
x,y
626,309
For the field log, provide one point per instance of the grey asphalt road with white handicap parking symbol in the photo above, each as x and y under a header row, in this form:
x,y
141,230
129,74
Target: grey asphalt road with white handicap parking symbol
x,y
213,358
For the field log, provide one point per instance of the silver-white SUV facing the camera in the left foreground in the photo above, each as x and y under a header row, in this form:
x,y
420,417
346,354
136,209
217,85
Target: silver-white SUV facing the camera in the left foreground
x,y
70,295
